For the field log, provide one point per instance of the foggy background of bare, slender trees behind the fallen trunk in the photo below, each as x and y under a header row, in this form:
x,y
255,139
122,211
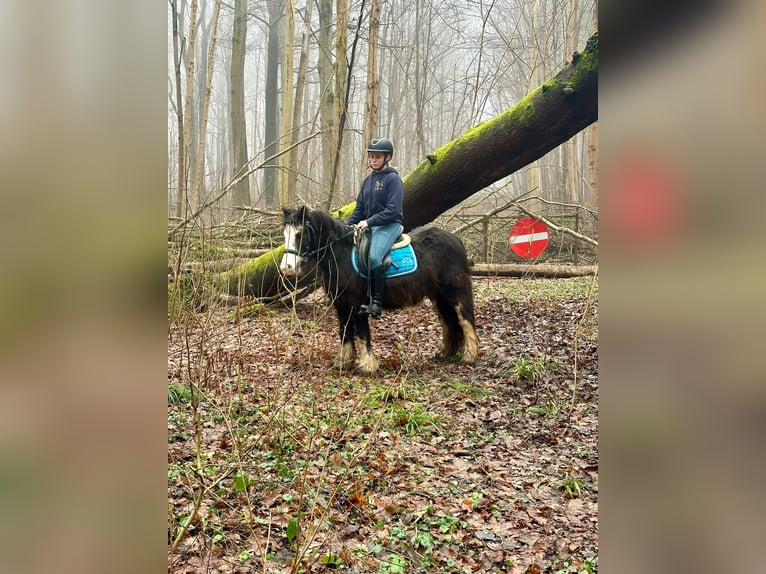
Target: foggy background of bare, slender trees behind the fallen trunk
x,y
272,102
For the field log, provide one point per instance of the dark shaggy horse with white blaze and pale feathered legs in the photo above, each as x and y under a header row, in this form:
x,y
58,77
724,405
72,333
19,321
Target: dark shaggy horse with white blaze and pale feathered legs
x,y
442,276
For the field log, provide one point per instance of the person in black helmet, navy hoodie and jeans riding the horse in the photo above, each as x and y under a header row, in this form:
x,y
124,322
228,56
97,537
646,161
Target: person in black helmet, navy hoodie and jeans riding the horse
x,y
379,207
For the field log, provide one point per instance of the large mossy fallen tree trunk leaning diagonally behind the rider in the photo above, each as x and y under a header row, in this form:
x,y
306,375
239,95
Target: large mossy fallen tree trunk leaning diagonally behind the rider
x,y
541,121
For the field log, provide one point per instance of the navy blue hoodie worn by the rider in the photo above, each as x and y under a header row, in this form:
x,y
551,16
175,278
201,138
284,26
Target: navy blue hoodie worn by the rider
x,y
380,199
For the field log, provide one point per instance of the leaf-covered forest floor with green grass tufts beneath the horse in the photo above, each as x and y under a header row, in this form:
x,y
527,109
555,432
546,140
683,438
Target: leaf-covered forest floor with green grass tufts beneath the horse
x,y
278,463
